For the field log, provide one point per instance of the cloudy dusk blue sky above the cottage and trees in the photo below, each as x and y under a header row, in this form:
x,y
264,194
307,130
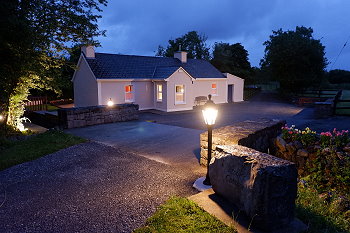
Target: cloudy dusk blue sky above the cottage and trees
x,y
137,26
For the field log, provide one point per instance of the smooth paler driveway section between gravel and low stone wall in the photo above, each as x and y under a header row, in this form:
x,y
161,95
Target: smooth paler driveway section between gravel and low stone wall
x,y
163,143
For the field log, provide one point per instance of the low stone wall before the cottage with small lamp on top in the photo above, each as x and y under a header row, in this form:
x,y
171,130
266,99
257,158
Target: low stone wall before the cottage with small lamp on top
x,y
94,115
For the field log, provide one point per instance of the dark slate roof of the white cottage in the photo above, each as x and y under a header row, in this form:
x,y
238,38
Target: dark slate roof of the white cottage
x,y
115,66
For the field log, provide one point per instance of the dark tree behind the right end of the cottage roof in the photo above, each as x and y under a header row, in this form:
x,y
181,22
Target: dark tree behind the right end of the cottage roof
x,y
231,59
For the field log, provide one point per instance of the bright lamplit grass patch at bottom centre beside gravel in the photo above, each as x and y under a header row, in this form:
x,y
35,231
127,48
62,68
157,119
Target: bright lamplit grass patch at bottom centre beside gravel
x,y
182,215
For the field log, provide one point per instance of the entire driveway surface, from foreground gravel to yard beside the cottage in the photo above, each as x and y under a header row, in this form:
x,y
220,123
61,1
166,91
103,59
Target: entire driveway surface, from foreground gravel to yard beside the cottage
x,y
115,182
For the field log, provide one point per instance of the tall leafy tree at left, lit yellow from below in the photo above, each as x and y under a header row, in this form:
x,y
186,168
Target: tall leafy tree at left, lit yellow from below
x,y
35,37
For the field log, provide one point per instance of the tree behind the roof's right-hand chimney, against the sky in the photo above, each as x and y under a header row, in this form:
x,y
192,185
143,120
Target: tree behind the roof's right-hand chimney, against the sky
x,y
193,43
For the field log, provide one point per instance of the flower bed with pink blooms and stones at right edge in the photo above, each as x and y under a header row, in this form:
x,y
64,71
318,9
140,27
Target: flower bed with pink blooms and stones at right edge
x,y
324,157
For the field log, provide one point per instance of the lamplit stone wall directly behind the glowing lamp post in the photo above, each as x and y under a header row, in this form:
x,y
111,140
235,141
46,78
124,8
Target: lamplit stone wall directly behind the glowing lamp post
x,y
258,135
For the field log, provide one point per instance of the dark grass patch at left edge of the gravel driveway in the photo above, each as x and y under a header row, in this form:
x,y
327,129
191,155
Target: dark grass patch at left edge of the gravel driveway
x,y
16,152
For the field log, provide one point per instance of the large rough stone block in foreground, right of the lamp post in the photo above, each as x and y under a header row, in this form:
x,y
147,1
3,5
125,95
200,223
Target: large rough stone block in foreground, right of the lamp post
x,y
261,185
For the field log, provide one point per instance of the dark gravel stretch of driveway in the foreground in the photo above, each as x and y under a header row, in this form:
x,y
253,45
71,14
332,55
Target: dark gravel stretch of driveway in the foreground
x,y
89,187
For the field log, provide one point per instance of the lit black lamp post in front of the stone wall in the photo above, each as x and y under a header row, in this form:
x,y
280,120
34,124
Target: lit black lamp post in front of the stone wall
x,y
210,113
